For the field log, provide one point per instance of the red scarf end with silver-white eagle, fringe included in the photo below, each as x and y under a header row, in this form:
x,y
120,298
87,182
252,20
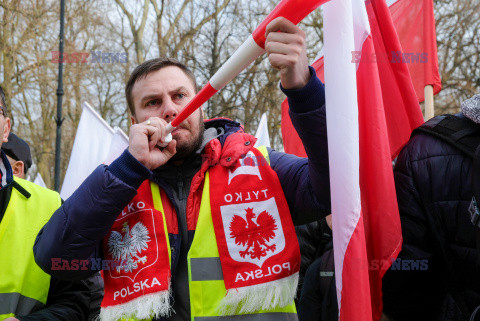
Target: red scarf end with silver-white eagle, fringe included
x,y
137,278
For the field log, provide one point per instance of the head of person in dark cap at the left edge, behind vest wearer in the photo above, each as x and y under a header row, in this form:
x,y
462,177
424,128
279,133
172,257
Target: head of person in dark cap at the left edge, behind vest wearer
x,y
18,155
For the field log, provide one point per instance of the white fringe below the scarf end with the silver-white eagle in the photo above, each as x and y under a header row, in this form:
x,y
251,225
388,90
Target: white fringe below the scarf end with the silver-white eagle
x,y
145,307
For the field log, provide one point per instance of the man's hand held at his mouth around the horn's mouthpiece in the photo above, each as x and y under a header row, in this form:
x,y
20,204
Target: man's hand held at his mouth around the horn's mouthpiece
x,y
143,141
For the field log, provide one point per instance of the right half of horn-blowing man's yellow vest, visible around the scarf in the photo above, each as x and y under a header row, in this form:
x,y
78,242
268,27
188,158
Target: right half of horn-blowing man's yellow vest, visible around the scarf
x,y
205,275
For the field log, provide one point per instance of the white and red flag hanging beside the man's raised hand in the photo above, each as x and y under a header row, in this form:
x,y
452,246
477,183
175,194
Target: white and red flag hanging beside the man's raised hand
x,y
371,111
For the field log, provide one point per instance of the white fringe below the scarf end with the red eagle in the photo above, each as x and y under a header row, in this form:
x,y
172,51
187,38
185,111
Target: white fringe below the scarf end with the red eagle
x,y
266,296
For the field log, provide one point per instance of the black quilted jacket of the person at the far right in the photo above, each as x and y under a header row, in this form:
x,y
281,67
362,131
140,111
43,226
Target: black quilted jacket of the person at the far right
x,y
433,185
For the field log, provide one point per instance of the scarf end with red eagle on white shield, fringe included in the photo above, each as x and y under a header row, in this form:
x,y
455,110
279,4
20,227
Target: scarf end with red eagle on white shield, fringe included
x,y
256,239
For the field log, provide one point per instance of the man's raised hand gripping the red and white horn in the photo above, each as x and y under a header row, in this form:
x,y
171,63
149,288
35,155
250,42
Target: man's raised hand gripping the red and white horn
x,y
286,50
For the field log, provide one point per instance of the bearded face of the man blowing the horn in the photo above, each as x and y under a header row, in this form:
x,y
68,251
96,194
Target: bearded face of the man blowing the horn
x,y
164,93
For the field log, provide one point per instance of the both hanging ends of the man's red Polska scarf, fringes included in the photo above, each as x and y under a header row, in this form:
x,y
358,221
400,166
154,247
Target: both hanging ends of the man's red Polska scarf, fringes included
x,y
256,240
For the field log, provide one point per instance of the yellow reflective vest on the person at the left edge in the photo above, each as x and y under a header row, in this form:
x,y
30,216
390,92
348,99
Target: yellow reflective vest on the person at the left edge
x,y
24,286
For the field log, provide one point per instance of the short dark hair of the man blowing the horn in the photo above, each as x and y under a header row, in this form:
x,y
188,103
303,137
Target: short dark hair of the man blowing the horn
x,y
142,70
